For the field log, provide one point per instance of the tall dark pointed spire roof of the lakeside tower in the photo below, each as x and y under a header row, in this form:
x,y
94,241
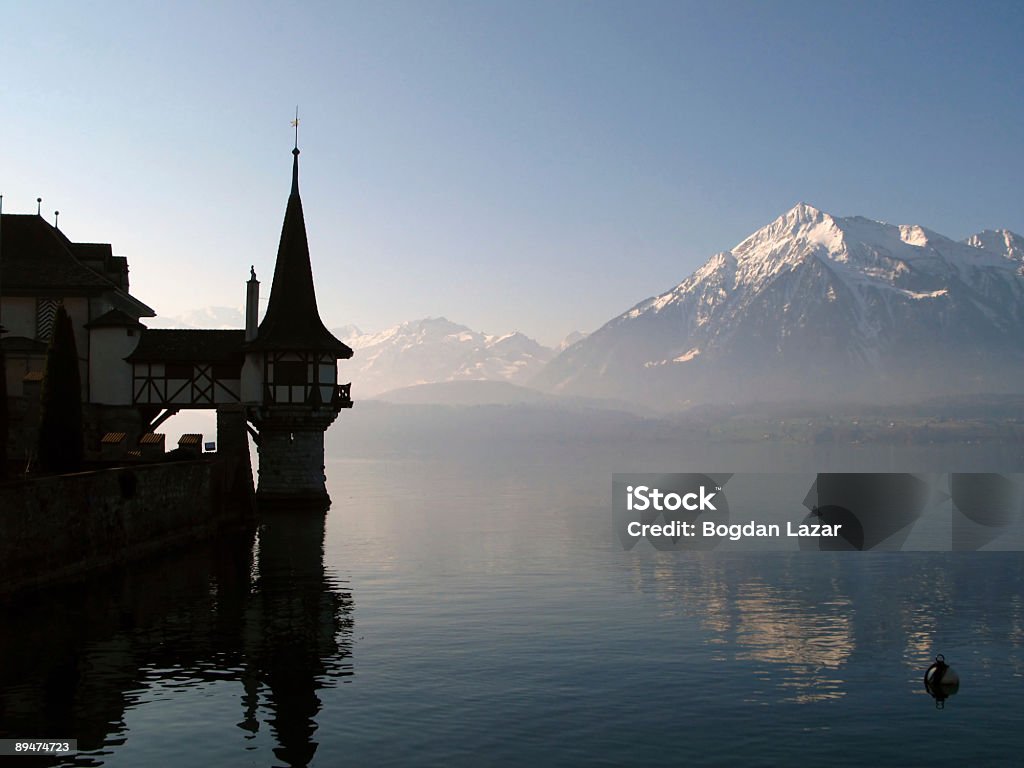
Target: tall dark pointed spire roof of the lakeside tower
x,y
292,321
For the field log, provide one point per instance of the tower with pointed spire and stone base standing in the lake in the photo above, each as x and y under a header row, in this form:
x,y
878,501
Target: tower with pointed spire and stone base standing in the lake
x,y
290,380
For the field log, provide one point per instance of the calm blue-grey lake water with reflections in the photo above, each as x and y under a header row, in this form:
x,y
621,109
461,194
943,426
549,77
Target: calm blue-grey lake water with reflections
x,y
480,612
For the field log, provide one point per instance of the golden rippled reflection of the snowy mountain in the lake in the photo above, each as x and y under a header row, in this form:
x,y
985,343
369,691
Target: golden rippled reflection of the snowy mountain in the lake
x,y
800,633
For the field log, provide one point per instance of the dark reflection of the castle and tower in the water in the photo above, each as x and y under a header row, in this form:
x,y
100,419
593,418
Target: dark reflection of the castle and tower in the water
x,y
257,610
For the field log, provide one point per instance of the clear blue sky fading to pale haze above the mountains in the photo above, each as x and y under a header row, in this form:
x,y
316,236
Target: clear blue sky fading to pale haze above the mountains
x,y
509,165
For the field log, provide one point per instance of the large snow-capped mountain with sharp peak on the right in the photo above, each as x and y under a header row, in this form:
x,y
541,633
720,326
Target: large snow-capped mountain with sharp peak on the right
x,y
816,307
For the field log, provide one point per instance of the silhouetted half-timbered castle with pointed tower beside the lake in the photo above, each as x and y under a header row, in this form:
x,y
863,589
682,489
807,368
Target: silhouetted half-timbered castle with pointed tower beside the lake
x,y
276,380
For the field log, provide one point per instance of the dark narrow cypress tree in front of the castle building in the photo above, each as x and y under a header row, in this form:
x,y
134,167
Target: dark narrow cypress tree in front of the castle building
x,y
61,443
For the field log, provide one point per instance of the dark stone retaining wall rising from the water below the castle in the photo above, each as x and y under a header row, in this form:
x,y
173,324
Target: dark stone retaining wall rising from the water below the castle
x,y
61,527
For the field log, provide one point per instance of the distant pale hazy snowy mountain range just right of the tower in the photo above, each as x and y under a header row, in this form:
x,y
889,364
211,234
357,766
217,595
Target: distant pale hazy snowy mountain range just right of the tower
x,y
438,351
